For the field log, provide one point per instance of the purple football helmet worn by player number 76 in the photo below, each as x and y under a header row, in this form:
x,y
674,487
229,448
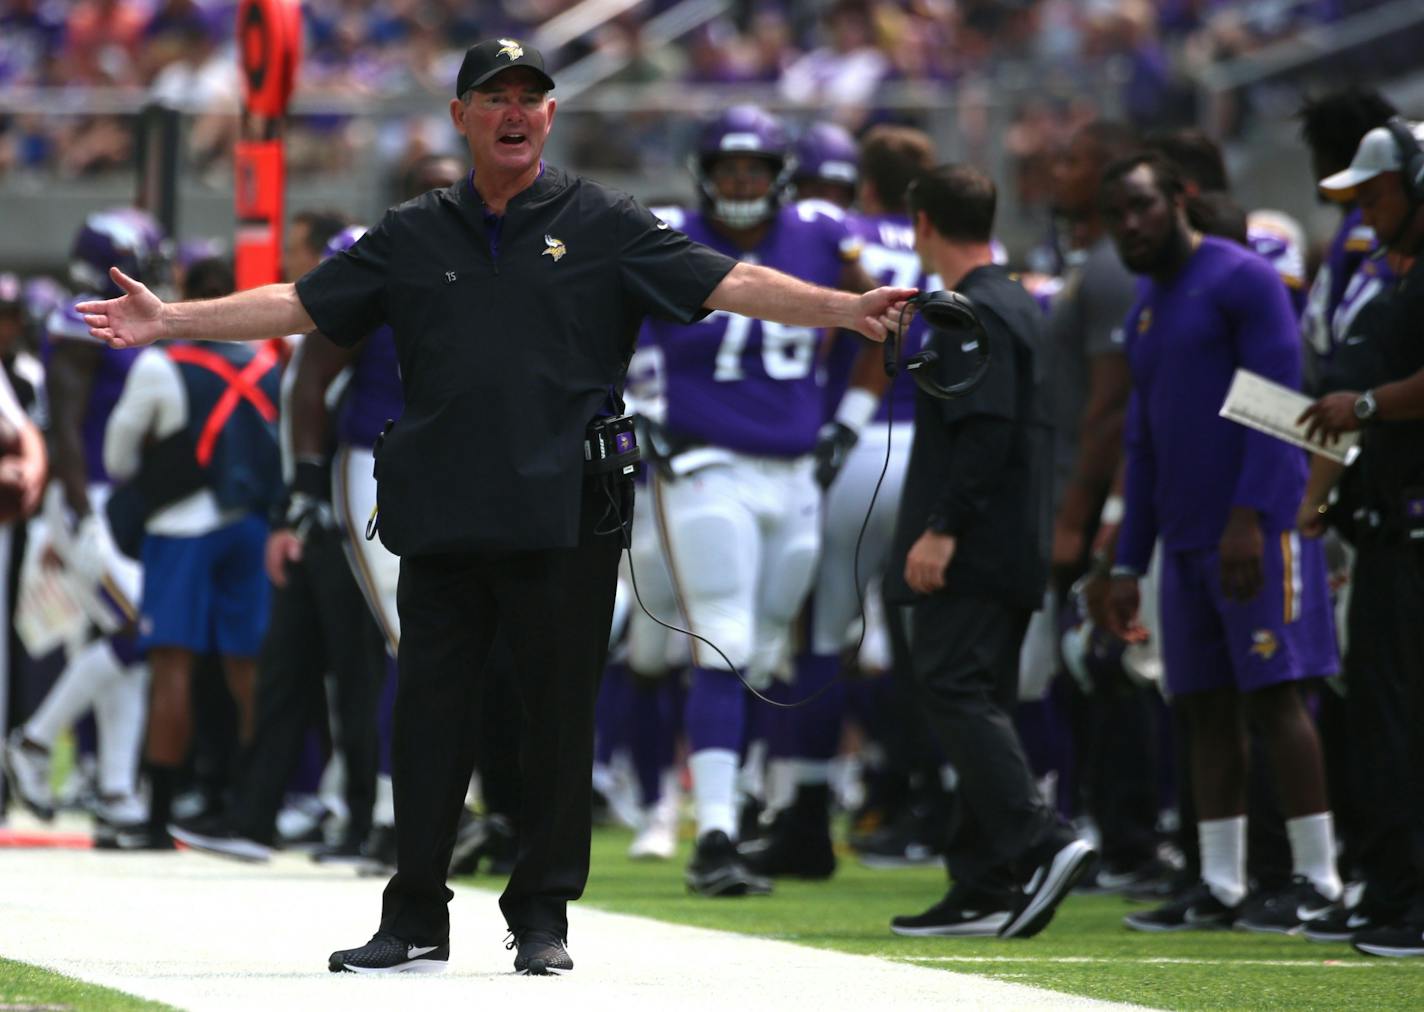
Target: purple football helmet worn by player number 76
x,y
744,130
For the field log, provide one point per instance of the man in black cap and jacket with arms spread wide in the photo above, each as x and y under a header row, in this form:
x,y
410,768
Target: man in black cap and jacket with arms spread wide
x,y
516,298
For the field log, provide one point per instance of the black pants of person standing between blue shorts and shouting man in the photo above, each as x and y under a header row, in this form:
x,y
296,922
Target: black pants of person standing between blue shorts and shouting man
x,y
320,624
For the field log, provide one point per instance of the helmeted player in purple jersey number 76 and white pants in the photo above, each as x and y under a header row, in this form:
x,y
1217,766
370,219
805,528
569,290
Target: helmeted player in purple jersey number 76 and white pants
x,y
737,497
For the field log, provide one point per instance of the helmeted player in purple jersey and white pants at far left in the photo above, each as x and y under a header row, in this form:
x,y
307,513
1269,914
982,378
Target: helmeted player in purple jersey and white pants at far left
x,y
108,674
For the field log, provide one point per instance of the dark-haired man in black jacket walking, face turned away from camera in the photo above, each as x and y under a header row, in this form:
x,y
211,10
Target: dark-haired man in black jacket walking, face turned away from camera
x,y
970,563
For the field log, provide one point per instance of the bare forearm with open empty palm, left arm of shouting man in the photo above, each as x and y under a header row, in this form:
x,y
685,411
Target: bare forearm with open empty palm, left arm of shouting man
x,y
140,318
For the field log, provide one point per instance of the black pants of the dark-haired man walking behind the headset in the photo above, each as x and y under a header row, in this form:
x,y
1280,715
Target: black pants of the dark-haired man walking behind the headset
x,y
965,654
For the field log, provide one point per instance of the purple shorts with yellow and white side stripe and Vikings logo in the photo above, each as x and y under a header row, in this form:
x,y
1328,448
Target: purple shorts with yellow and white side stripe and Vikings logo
x,y
1284,634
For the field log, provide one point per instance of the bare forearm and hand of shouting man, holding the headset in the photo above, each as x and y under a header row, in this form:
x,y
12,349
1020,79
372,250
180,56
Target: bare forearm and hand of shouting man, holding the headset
x,y
770,295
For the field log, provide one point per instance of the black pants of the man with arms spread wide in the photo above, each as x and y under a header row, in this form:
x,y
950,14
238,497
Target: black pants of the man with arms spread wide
x,y
555,608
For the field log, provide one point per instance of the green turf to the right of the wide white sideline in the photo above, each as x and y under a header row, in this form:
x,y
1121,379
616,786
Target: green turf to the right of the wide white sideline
x,y
1086,952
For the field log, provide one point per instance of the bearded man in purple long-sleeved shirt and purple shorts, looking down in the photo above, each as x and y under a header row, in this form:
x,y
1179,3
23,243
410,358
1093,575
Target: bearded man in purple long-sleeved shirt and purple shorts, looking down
x,y
1245,607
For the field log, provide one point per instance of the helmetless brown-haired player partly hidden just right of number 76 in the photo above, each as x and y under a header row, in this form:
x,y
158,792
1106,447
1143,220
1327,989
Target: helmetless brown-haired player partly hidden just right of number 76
x,y
851,453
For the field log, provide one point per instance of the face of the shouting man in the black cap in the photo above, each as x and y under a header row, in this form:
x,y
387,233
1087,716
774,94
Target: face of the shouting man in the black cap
x,y
506,122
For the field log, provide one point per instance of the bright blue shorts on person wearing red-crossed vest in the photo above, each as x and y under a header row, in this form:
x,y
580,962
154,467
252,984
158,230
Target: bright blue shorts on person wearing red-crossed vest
x,y
207,594
